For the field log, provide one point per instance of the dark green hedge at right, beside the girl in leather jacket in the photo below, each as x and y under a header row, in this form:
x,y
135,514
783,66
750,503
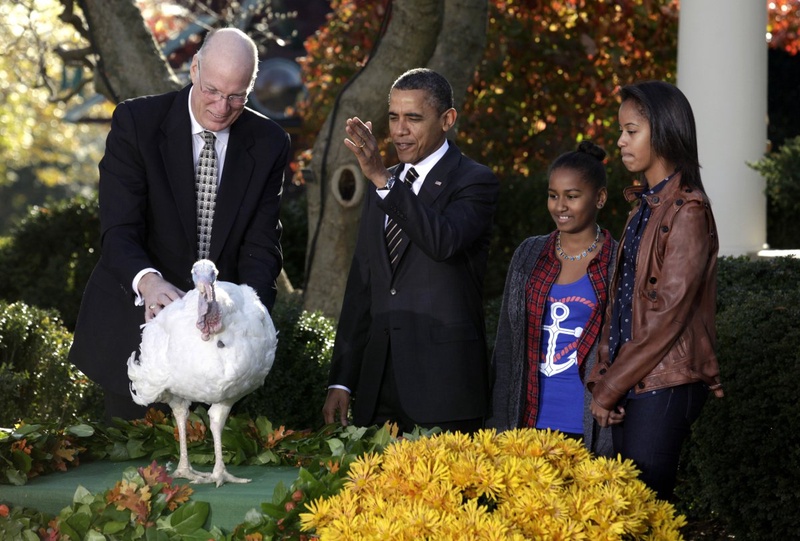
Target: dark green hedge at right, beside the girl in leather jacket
x,y
743,459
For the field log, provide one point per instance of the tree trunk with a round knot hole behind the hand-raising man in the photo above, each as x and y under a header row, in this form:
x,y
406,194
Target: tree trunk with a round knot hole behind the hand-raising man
x,y
445,35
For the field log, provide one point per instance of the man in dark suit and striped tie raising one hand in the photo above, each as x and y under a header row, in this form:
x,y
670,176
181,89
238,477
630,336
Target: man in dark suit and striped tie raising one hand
x,y
410,345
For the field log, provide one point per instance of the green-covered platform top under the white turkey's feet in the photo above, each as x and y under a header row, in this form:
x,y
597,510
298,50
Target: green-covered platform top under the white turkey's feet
x,y
229,503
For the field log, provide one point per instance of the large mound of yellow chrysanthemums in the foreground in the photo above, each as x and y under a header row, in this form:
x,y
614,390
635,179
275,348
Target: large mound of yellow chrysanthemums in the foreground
x,y
520,484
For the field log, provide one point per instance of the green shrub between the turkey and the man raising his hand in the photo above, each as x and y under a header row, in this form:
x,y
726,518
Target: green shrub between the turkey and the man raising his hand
x,y
295,389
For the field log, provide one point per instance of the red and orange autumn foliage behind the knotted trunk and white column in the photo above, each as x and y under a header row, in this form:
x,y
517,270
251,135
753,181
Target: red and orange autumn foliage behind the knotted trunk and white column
x,y
547,78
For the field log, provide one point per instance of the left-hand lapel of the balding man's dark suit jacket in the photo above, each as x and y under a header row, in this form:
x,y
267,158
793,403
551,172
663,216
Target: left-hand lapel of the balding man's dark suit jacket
x,y
177,156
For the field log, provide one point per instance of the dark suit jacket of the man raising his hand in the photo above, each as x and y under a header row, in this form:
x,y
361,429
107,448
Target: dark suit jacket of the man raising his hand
x,y
430,311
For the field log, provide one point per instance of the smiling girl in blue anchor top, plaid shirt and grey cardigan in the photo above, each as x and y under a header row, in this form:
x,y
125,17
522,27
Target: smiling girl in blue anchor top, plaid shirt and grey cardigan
x,y
554,299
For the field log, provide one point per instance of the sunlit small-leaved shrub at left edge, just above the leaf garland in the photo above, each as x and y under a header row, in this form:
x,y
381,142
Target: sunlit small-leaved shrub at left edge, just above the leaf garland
x,y
36,380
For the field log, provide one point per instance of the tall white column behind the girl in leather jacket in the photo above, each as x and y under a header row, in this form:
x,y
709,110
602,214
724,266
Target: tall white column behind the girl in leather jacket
x,y
722,69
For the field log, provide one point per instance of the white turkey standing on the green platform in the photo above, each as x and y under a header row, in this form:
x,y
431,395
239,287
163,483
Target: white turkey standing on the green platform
x,y
213,346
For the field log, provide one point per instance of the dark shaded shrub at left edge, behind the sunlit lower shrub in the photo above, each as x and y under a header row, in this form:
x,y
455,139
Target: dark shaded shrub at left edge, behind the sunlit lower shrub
x,y
50,255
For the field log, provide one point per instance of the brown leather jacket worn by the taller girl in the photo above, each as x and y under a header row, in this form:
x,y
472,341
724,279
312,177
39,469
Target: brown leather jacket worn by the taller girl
x,y
675,290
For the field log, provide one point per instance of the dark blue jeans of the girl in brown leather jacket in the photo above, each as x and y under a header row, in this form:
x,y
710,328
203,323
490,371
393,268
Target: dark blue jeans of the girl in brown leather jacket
x,y
653,432
